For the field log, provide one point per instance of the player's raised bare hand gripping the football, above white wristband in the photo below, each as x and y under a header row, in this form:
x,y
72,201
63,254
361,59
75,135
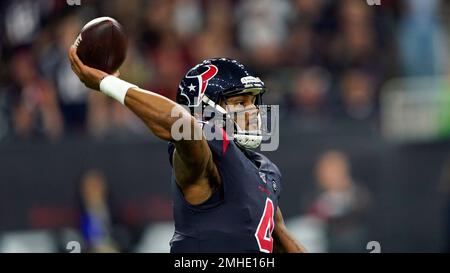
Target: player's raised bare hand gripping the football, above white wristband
x,y
91,77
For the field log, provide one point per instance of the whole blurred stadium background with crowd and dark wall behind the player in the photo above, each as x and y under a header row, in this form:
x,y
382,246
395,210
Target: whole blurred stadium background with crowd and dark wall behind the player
x,y
364,95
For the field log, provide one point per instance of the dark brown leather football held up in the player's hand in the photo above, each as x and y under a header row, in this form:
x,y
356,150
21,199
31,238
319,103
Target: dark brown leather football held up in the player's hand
x,y
102,44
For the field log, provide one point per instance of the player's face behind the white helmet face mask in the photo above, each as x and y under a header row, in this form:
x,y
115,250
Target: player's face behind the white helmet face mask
x,y
244,111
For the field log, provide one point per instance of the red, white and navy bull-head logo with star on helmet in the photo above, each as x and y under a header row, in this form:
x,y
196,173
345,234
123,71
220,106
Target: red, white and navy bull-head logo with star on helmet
x,y
194,86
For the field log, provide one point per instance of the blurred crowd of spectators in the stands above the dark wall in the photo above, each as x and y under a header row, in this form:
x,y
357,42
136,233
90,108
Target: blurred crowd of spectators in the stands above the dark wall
x,y
321,59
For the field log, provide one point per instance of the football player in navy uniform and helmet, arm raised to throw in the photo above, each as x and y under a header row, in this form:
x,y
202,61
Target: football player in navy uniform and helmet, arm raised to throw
x,y
225,195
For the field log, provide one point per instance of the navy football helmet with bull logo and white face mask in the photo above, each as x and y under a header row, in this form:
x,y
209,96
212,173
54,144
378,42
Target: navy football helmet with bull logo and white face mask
x,y
213,81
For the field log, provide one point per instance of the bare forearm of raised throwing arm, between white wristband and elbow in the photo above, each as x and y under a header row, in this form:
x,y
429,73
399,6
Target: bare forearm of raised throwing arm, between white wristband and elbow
x,y
156,112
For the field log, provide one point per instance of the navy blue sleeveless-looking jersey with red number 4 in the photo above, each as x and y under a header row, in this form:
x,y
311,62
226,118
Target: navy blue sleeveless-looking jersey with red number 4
x,y
238,217
